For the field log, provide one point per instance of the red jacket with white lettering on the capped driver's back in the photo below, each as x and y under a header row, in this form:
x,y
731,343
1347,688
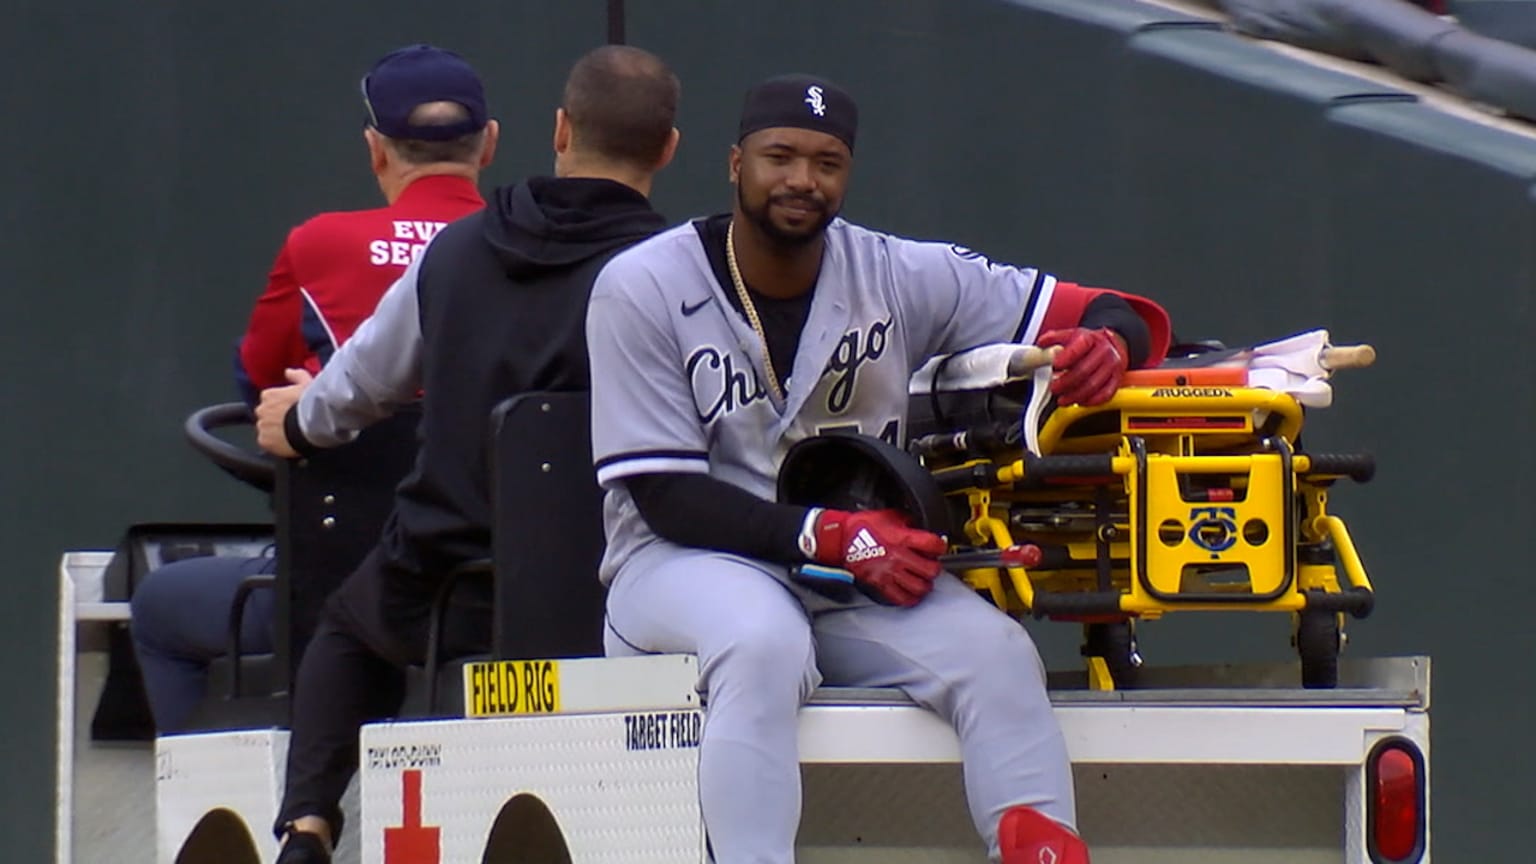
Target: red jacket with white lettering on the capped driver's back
x,y
331,274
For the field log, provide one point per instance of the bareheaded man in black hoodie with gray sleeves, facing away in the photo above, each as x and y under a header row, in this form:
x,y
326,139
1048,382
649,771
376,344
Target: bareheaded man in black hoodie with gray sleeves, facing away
x,y
495,307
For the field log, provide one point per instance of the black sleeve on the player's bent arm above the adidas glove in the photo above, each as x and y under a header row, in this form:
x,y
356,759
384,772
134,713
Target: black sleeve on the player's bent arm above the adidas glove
x,y
700,511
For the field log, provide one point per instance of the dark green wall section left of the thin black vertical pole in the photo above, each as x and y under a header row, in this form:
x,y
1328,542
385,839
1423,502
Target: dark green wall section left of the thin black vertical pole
x,y
156,158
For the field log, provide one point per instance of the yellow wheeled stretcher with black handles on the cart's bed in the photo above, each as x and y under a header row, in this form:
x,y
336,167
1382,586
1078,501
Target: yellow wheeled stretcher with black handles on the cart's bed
x,y
1187,491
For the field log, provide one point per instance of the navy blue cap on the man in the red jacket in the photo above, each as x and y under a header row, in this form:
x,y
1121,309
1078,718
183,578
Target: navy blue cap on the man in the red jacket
x,y
419,75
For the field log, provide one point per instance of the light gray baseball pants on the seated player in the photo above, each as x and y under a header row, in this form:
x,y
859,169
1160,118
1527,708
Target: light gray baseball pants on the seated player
x,y
766,643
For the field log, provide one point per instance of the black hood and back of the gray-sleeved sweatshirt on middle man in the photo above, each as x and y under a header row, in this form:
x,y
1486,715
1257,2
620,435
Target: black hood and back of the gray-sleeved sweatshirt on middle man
x,y
503,299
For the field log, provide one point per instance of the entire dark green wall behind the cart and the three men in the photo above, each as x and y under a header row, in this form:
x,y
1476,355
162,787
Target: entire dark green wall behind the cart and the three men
x,y
161,153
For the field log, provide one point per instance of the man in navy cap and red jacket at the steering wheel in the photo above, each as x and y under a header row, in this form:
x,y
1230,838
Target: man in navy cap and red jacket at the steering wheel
x,y
428,136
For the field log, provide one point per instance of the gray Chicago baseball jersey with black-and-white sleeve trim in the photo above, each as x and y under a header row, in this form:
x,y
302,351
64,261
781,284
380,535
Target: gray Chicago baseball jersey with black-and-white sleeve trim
x,y
678,380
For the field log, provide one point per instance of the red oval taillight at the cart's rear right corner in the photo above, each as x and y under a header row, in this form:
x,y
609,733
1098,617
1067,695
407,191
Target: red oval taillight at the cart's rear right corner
x,y
1395,809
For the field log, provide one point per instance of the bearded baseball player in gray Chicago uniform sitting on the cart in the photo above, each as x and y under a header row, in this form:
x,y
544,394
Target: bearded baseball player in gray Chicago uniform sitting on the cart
x,y
718,345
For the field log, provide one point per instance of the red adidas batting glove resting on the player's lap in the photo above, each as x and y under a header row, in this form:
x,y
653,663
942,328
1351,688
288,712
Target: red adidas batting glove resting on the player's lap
x,y
892,562
